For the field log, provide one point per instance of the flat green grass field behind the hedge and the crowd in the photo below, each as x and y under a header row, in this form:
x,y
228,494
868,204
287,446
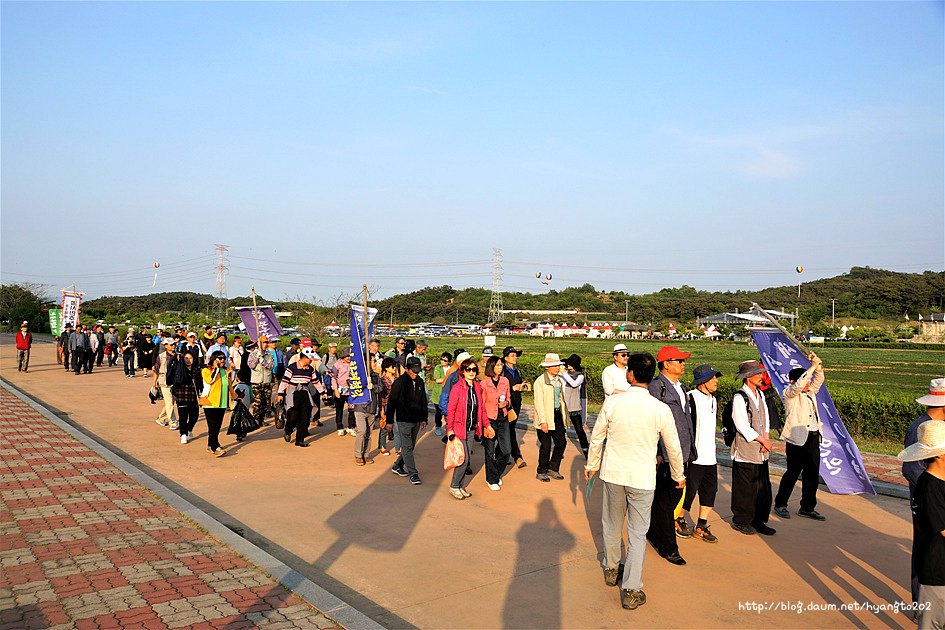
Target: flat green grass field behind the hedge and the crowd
x,y
867,368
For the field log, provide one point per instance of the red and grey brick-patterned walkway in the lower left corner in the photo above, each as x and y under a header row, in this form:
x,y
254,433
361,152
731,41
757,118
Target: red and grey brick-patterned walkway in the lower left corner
x,y
85,546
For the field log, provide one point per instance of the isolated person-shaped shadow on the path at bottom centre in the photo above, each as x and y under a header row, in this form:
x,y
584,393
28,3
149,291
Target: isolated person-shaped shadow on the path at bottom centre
x,y
533,599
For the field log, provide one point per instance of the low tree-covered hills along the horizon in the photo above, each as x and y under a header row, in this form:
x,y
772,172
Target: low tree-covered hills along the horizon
x,y
862,293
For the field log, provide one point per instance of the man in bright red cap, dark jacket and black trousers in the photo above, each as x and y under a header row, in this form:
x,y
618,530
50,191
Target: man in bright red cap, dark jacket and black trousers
x,y
667,388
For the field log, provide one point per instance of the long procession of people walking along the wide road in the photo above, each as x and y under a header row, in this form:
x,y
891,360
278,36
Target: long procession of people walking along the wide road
x,y
653,444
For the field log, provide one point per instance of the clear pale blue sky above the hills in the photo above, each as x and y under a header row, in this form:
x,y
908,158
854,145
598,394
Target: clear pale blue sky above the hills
x,y
629,145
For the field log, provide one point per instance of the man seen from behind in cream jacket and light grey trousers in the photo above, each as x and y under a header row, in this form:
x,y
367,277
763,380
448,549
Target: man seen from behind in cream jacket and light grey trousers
x,y
632,422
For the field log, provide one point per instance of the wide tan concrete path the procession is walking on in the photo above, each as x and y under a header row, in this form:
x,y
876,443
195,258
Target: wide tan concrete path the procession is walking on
x,y
524,557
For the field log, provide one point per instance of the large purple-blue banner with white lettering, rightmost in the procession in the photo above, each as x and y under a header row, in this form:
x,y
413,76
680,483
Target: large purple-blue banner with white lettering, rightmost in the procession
x,y
840,463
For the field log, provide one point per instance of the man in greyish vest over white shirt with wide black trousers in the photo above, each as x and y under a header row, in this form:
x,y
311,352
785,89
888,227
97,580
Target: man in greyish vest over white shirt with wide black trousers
x,y
751,484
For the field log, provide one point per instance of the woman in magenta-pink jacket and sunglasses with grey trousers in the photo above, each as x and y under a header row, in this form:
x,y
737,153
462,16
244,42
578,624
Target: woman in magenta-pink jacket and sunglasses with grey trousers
x,y
466,415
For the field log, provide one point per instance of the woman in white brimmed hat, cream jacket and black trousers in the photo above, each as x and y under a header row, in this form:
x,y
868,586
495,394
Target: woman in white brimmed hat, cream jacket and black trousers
x,y
550,411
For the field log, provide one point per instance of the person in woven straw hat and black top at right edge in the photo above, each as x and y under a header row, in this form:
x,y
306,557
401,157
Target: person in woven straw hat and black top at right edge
x,y
928,521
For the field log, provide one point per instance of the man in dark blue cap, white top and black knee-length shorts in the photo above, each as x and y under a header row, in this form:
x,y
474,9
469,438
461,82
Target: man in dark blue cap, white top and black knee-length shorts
x,y
702,476
